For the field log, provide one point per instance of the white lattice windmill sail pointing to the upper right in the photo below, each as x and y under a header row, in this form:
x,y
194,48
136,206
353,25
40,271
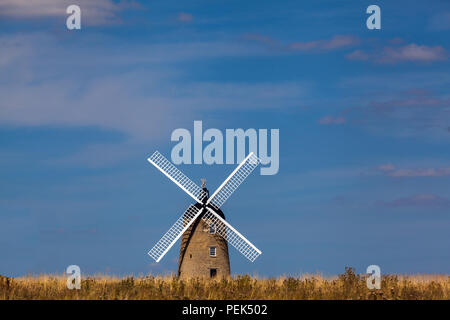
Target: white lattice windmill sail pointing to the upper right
x,y
233,181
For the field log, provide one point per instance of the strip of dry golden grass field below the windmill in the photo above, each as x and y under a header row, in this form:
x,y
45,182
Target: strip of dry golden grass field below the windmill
x,y
345,286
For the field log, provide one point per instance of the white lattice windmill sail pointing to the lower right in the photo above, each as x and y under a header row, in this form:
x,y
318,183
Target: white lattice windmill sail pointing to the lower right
x,y
230,234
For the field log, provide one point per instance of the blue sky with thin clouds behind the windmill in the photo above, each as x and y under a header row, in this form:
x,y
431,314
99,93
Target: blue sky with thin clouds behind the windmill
x,y
364,119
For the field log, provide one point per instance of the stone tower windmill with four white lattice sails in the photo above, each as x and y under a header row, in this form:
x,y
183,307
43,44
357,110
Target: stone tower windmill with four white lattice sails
x,y
204,231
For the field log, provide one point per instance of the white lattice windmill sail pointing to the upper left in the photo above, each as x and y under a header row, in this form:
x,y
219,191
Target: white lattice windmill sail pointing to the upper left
x,y
178,177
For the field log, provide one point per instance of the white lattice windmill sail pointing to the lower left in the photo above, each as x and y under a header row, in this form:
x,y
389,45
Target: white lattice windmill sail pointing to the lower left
x,y
175,232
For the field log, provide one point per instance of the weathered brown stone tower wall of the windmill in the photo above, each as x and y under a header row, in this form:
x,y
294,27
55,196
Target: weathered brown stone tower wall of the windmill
x,y
195,259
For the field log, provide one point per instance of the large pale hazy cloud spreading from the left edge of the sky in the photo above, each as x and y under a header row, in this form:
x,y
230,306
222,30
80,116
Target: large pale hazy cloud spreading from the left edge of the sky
x,y
79,84
